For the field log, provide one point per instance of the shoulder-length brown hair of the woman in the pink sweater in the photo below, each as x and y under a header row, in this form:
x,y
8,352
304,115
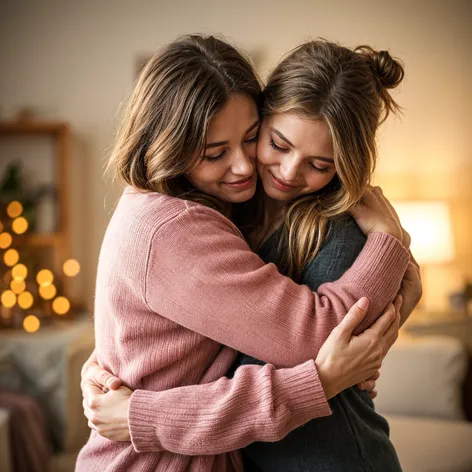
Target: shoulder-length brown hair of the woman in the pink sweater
x,y
165,123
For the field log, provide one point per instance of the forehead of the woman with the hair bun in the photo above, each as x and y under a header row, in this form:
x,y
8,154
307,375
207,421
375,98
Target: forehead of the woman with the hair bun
x,y
310,137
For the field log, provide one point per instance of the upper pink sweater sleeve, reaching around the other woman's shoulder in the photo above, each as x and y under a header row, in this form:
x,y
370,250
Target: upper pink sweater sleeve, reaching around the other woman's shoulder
x,y
202,275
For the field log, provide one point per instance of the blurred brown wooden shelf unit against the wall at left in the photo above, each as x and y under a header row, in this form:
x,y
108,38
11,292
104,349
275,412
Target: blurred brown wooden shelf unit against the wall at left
x,y
59,241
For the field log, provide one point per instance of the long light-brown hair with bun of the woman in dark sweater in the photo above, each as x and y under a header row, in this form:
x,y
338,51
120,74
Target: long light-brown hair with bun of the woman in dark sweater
x,y
348,90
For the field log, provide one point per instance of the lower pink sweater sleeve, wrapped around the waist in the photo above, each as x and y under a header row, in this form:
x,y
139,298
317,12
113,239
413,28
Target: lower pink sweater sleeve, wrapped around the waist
x,y
208,419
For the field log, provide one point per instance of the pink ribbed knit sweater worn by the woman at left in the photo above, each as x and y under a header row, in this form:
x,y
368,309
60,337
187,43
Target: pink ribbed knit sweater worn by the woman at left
x,y
178,291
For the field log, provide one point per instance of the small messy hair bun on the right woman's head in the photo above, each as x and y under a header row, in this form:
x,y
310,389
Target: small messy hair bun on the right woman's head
x,y
387,70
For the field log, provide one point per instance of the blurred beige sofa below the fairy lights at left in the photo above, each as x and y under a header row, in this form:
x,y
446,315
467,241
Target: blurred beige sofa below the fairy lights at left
x,y
46,367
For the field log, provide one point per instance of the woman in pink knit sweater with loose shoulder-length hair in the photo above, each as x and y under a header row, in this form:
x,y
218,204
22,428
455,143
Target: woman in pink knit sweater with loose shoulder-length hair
x,y
179,290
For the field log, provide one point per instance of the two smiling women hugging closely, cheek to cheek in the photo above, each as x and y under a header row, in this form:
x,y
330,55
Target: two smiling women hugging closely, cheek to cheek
x,y
251,280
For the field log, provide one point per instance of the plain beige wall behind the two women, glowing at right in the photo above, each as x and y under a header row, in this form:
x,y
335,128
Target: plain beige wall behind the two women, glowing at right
x,y
75,60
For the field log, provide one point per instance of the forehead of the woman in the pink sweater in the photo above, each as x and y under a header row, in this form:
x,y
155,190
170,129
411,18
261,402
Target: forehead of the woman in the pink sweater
x,y
239,113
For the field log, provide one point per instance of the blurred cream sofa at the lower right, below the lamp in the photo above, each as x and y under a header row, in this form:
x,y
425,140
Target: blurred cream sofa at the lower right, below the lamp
x,y
420,393
